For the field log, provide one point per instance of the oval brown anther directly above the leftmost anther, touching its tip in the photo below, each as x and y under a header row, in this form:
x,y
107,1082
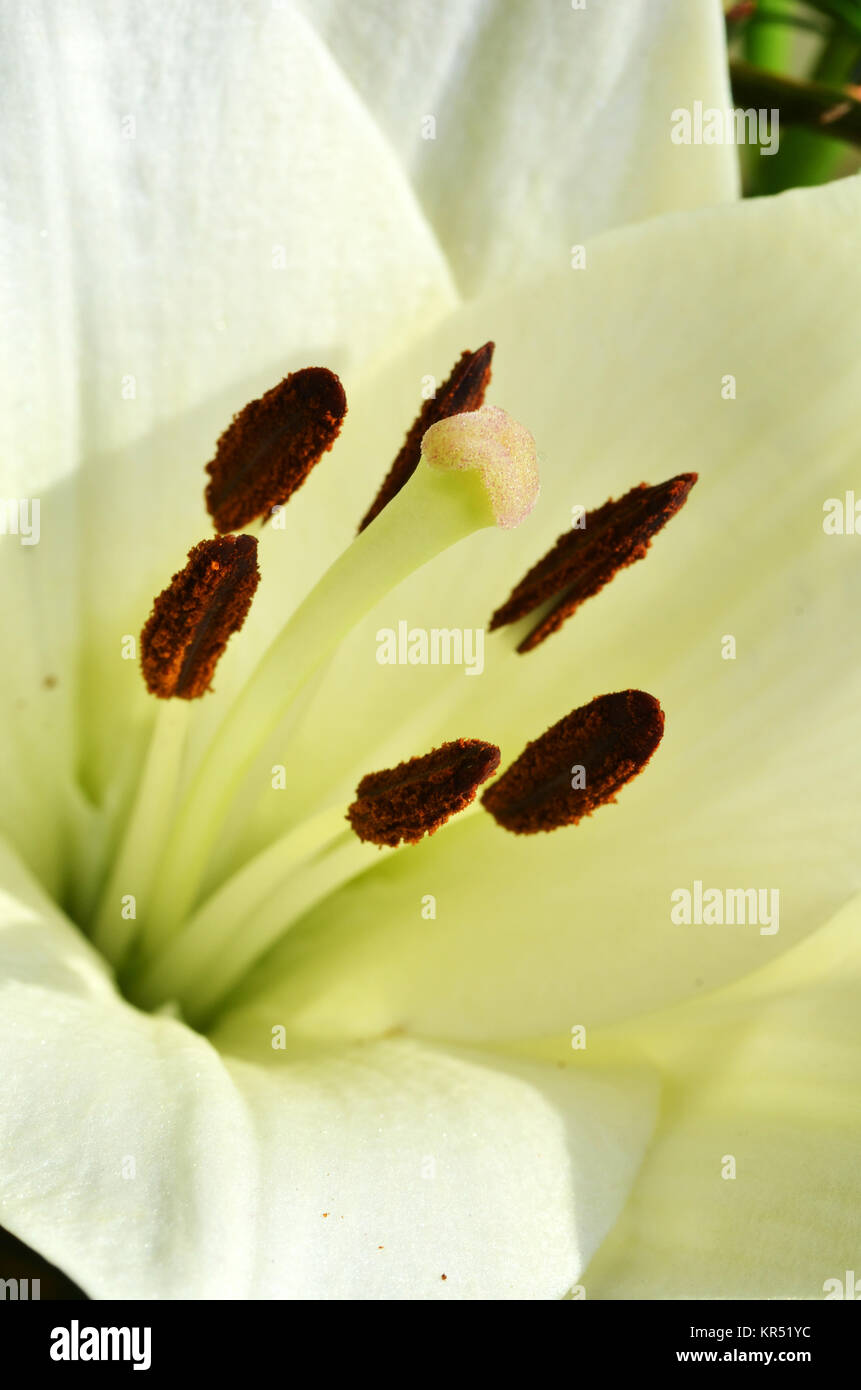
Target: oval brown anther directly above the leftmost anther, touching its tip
x,y
269,450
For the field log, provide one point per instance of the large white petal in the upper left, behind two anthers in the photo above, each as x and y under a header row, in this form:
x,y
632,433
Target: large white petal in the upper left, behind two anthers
x,y
194,205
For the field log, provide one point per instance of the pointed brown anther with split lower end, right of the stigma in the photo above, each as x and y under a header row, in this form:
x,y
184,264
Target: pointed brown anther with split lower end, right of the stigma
x,y
584,561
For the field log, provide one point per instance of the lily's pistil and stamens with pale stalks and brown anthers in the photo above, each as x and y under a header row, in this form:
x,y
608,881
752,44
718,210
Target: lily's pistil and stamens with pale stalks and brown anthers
x,y
464,466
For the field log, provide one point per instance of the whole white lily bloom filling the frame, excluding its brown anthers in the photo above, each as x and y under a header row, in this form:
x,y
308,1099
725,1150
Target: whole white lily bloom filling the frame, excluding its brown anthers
x,y
361,1100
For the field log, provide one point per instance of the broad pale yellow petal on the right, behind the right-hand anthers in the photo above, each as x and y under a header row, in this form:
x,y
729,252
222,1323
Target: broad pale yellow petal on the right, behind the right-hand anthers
x,y
618,372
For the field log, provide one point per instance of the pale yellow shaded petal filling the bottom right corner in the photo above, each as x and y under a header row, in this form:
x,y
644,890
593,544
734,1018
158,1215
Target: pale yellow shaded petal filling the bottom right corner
x,y
764,1074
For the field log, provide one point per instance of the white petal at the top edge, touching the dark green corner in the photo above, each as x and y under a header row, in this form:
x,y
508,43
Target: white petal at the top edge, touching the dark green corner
x,y
529,129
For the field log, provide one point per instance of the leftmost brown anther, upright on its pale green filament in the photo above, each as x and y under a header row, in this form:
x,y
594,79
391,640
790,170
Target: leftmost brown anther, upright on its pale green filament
x,y
197,615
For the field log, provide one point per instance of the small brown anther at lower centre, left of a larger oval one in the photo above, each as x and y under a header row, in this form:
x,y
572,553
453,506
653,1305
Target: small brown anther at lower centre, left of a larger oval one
x,y
417,797
